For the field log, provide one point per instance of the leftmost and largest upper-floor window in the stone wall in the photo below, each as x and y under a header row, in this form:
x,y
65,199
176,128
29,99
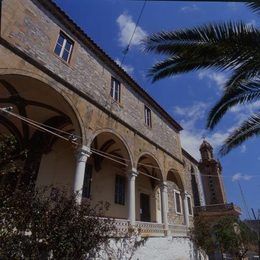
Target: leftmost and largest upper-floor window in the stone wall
x,y
64,47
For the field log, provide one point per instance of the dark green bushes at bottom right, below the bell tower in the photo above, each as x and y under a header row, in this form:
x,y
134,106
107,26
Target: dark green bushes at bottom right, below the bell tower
x,y
227,234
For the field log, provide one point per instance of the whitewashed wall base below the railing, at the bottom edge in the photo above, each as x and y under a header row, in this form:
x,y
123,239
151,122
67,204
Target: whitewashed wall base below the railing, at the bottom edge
x,y
168,248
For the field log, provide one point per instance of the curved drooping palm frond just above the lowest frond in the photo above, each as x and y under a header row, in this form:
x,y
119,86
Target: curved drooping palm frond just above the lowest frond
x,y
245,93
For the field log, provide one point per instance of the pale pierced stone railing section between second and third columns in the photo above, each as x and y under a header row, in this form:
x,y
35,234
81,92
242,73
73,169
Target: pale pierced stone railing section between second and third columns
x,y
150,229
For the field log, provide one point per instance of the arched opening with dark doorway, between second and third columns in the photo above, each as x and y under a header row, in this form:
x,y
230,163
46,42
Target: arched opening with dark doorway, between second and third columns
x,y
148,195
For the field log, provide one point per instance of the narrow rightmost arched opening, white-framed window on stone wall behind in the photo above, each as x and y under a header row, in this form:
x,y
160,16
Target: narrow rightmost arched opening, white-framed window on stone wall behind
x,y
175,198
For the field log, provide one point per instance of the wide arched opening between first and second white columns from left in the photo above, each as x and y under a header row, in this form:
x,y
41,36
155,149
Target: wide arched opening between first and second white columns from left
x,y
106,174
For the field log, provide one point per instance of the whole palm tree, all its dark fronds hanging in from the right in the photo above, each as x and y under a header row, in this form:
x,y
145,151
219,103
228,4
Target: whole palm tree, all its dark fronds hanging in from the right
x,y
232,46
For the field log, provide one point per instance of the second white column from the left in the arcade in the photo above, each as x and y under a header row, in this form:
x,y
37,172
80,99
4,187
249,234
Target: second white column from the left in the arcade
x,y
131,195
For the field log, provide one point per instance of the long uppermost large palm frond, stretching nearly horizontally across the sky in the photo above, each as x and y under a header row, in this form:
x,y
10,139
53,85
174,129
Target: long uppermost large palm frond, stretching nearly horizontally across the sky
x,y
166,42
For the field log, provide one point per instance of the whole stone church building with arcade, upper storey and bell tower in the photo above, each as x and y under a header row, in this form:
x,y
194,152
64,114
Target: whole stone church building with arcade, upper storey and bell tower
x,y
88,125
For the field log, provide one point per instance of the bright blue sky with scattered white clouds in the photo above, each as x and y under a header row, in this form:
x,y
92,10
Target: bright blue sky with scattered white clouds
x,y
187,97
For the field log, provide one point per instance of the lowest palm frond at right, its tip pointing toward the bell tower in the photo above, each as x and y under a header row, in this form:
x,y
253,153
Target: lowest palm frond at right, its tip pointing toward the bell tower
x,y
248,128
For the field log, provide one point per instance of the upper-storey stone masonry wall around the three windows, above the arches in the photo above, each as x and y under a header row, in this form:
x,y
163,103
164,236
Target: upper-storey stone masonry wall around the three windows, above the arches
x,y
33,30
